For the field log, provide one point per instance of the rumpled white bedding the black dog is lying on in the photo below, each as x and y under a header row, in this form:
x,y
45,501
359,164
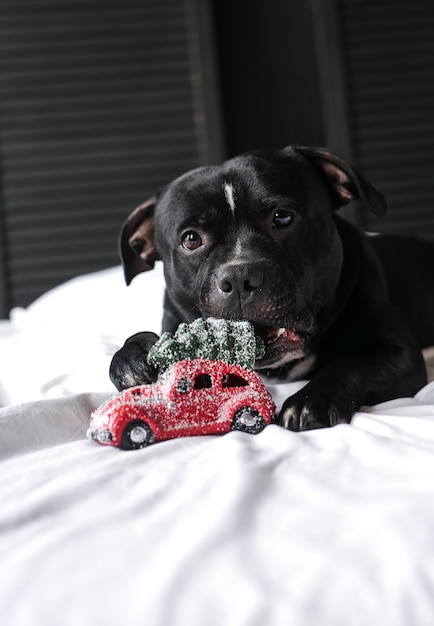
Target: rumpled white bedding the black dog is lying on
x,y
331,527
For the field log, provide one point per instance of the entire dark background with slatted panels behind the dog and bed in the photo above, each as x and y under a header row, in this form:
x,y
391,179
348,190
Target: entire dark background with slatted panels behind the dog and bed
x,y
104,101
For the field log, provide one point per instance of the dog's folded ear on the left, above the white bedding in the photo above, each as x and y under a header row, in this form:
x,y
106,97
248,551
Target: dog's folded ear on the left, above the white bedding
x,y
136,242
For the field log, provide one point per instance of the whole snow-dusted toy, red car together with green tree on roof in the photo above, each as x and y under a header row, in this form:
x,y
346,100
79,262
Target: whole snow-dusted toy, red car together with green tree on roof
x,y
206,386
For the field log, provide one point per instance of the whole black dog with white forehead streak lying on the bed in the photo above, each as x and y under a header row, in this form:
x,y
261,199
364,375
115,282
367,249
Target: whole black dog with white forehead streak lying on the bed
x,y
257,238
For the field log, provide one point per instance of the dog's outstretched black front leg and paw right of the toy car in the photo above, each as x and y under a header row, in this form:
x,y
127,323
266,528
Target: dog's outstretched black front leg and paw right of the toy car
x,y
345,384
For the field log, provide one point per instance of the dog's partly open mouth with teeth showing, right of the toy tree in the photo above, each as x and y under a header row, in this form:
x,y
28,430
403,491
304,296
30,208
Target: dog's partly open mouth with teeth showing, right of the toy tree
x,y
282,345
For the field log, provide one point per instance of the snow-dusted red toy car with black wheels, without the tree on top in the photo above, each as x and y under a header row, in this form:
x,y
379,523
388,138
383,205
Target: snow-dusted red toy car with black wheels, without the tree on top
x,y
193,397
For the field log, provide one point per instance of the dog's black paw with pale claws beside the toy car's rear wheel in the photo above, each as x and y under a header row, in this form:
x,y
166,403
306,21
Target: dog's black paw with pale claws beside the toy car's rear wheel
x,y
315,407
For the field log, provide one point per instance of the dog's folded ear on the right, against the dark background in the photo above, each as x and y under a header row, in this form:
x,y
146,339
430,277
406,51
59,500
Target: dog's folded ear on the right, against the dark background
x,y
344,181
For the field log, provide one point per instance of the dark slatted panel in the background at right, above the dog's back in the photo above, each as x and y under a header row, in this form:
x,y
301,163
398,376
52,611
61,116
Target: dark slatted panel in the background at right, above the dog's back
x,y
388,60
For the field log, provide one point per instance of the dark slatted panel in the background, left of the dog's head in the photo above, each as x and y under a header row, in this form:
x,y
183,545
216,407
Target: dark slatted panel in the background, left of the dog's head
x,y
101,104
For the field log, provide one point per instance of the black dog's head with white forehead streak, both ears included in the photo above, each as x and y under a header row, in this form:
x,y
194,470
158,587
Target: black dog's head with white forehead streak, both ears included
x,y
253,238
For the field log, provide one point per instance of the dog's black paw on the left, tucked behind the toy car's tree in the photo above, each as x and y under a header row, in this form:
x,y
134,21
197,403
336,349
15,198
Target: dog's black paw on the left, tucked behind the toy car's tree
x,y
129,366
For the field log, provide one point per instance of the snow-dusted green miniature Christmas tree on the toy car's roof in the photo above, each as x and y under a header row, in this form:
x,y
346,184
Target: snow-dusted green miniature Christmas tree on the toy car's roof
x,y
230,341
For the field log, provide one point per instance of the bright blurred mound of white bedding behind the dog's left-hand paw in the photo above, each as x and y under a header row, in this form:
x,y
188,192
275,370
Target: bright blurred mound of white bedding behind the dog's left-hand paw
x,y
63,343
